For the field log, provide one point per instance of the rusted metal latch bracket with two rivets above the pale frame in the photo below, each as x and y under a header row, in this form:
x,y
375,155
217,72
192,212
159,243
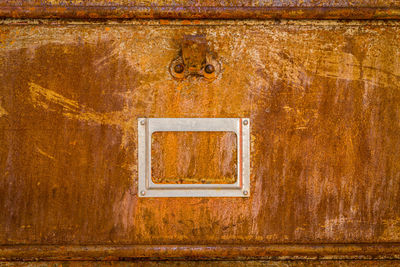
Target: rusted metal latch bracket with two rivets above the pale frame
x,y
195,59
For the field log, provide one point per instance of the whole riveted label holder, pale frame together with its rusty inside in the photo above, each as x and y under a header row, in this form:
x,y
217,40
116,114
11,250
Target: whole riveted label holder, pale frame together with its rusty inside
x,y
194,157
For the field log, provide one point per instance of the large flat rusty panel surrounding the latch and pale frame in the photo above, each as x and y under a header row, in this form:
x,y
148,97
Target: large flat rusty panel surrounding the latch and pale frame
x,y
324,102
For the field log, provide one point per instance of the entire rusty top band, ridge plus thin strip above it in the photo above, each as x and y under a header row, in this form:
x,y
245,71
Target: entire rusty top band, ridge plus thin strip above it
x,y
187,9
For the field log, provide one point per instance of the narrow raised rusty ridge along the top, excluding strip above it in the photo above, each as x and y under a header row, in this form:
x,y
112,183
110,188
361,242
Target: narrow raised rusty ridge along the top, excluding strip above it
x,y
197,12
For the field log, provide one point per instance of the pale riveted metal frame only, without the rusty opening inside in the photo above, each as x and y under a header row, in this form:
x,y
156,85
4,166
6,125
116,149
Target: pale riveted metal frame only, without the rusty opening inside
x,y
148,126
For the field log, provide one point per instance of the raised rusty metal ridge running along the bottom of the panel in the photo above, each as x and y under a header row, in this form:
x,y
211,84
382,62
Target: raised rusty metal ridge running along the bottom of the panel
x,y
381,251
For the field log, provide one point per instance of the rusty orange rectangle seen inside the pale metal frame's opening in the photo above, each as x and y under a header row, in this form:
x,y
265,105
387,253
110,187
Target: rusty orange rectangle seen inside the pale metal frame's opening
x,y
194,158
